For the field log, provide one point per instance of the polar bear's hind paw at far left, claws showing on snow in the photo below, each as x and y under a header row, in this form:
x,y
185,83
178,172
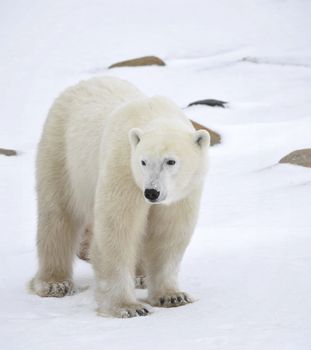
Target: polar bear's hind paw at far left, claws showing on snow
x,y
51,289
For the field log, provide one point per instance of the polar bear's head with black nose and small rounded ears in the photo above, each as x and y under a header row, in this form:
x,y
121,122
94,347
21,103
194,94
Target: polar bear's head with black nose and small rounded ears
x,y
168,164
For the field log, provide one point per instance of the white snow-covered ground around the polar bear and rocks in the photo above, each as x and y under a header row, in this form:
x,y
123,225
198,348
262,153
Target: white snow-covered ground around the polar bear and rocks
x,y
249,263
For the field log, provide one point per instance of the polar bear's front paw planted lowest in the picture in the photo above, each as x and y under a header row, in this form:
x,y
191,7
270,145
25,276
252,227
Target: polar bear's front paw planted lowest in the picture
x,y
126,311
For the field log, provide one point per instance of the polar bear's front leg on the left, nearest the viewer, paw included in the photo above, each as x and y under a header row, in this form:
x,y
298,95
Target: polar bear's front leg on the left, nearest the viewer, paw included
x,y
119,224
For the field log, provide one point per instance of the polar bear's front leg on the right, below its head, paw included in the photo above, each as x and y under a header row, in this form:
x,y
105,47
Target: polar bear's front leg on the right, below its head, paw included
x,y
169,231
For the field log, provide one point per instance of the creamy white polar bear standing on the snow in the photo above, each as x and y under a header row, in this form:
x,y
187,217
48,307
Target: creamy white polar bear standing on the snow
x,y
130,169
